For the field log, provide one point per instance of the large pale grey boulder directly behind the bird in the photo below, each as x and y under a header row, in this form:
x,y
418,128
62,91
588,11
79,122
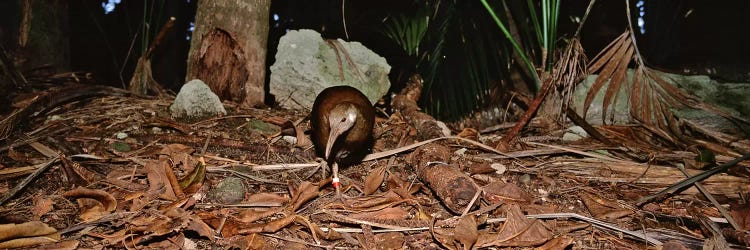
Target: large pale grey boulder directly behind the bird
x,y
306,64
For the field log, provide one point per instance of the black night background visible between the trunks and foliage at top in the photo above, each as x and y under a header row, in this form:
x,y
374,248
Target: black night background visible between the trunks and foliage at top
x,y
680,34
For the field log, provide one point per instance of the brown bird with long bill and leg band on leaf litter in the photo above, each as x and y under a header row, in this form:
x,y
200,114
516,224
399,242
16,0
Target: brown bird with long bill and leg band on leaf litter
x,y
341,119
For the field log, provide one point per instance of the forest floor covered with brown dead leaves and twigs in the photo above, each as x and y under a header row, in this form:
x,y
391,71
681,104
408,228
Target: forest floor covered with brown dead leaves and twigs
x,y
118,172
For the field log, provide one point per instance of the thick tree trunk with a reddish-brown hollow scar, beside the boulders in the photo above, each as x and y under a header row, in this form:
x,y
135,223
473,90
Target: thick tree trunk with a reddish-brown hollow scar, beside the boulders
x,y
228,50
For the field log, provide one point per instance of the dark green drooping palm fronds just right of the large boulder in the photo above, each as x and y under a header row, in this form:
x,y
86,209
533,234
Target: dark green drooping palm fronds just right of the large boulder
x,y
458,57
